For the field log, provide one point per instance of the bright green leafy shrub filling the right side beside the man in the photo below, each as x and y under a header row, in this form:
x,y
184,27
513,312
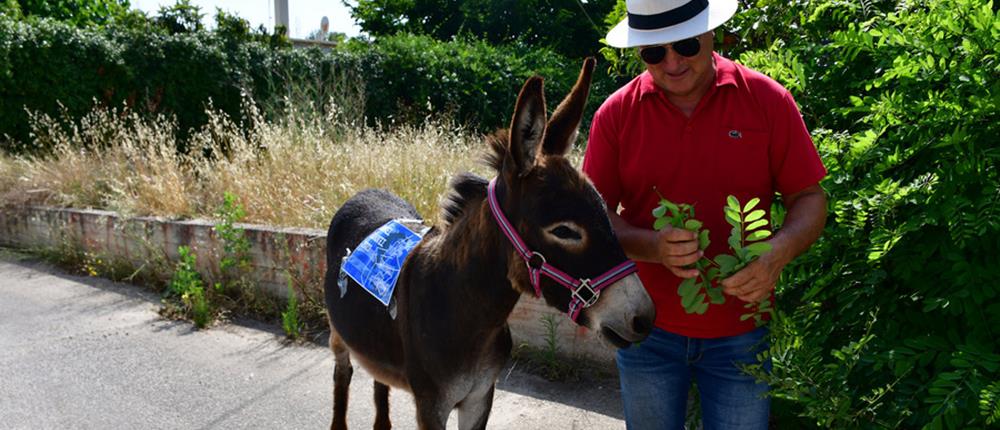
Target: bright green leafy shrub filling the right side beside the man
x,y
892,319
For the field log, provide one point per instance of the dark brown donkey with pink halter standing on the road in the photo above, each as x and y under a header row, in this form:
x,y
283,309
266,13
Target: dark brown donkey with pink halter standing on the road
x,y
448,339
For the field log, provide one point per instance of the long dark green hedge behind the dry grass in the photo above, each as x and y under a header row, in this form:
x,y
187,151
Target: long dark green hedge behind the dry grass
x,y
45,64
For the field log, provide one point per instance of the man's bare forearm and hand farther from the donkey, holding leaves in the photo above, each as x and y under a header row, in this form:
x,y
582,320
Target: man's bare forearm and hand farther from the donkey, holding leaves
x,y
804,223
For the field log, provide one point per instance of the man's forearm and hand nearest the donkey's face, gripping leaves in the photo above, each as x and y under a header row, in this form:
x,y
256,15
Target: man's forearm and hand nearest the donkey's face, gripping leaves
x,y
671,247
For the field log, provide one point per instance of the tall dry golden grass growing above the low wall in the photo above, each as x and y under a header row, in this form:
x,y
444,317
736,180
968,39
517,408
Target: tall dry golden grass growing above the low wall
x,y
292,172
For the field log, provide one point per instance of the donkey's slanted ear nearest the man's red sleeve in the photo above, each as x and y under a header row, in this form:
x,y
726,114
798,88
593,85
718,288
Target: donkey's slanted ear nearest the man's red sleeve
x,y
565,123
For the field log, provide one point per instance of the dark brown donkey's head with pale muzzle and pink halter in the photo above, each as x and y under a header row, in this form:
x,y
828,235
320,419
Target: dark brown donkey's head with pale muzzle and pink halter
x,y
569,245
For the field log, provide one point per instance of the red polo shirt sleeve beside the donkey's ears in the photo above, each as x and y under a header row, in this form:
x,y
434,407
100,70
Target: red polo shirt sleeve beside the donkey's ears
x,y
600,161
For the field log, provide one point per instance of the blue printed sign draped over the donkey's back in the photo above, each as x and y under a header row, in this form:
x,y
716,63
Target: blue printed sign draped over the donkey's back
x,y
376,262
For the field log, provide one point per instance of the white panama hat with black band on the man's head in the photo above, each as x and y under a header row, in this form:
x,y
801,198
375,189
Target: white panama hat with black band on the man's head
x,y
658,22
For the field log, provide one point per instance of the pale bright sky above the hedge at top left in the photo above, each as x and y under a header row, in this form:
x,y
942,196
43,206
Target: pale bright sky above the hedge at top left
x,y
303,15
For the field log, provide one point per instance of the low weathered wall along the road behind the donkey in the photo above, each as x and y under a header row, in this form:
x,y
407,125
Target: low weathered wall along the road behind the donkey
x,y
276,253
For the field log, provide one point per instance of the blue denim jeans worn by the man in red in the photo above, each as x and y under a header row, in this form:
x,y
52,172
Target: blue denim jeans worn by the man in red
x,y
656,376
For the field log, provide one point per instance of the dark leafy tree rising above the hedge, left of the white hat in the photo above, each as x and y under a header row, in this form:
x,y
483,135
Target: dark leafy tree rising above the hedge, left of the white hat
x,y
570,27
